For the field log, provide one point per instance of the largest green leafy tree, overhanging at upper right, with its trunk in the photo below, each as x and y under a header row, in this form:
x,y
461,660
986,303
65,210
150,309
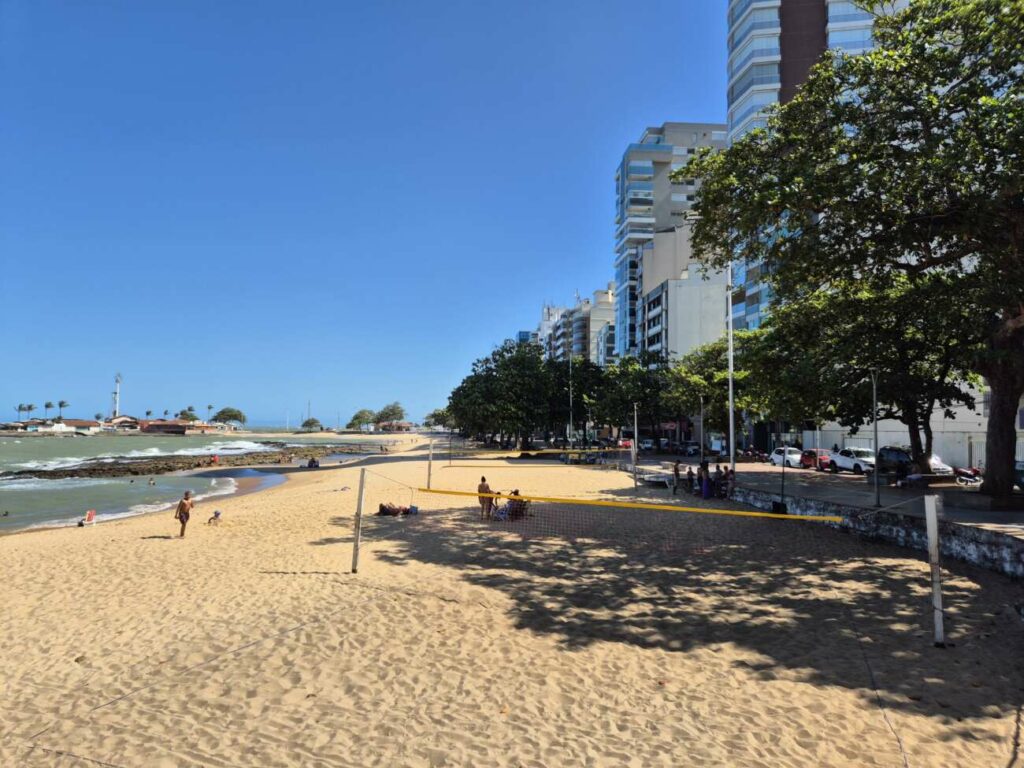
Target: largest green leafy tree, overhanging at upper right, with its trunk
x,y
905,162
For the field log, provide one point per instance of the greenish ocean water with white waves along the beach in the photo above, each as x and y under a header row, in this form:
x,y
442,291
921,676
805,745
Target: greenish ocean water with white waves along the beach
x,y
34,502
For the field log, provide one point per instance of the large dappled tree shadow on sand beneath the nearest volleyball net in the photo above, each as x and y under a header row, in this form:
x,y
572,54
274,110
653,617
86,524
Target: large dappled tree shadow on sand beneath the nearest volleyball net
x,y
817,605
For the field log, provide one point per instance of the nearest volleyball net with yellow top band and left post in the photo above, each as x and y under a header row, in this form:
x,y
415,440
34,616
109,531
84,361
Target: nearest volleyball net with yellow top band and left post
x,y
465,520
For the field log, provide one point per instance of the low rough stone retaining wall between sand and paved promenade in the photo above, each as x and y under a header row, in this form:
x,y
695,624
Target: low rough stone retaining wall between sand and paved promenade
x,y
990,549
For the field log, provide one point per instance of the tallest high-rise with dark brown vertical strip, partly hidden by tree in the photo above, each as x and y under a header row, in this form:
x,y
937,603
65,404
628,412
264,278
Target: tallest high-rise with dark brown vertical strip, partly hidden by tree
x,y
773,47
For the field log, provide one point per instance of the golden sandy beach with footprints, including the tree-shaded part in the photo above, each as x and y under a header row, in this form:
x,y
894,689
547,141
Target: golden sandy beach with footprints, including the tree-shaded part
x,y
670,639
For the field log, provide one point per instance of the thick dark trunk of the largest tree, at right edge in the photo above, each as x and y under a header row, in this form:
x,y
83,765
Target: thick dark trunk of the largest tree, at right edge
x,y
1006,387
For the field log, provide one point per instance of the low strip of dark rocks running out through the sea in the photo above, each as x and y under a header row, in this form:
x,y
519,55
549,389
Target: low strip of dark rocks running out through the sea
x,y
165,464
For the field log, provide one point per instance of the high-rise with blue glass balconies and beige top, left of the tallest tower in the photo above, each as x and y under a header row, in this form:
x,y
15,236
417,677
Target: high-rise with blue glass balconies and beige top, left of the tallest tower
x,y
648,202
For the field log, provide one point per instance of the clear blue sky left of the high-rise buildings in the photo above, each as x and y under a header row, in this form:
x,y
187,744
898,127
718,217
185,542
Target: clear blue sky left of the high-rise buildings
x,y
262,204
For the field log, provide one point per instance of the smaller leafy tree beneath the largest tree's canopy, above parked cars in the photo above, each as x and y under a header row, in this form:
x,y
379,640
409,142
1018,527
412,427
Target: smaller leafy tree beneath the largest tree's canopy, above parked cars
x,y
858,329
